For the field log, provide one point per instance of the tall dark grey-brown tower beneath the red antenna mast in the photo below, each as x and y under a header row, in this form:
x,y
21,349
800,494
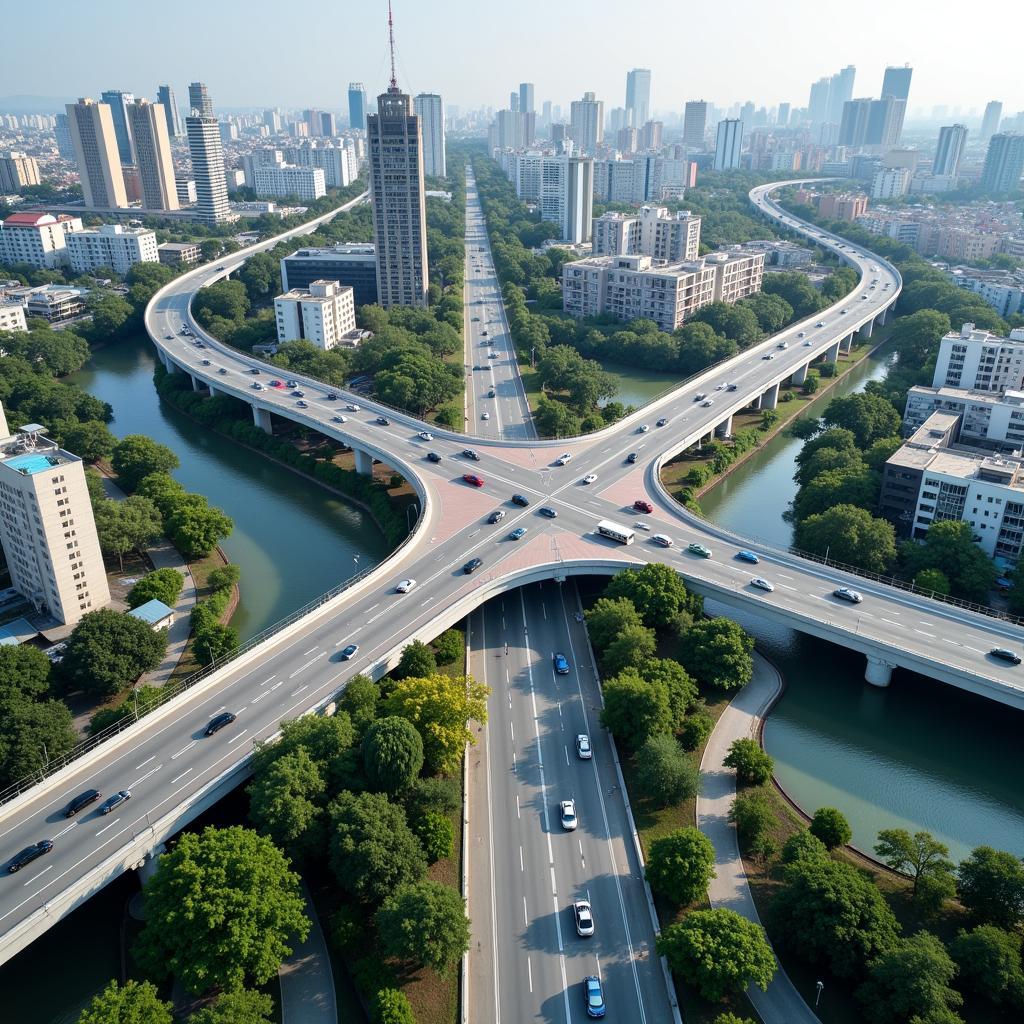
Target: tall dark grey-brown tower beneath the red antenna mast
x,y
395,140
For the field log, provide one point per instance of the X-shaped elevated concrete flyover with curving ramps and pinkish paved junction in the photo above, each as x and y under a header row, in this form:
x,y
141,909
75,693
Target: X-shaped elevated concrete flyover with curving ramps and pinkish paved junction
x,y
176,773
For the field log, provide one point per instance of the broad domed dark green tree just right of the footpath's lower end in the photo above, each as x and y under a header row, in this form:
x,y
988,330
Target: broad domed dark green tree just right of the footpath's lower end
x,y
829,913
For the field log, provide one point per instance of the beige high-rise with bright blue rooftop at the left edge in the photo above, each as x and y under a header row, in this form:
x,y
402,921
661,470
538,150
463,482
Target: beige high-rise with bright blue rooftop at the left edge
x,y
47,526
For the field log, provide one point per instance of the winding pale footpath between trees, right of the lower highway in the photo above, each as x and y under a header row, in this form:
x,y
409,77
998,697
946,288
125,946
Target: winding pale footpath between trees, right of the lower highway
x,y
782,1004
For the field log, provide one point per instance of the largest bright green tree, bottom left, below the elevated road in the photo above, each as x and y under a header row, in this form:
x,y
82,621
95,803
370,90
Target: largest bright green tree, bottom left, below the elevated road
x,y
220,911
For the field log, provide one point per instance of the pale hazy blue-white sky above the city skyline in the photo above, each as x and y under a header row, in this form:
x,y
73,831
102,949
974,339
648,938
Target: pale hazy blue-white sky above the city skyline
x,y
251,53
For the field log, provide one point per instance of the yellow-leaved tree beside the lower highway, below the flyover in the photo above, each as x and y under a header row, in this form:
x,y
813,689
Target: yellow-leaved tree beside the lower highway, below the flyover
x,y
440,707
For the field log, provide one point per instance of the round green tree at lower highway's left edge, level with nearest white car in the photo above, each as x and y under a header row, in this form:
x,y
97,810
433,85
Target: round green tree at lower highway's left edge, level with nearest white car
x,y
426,924
